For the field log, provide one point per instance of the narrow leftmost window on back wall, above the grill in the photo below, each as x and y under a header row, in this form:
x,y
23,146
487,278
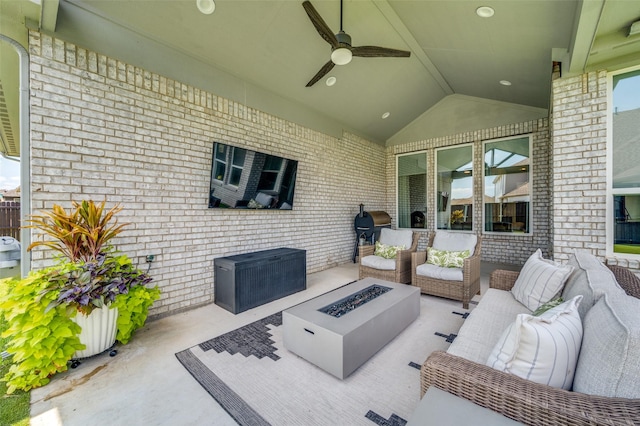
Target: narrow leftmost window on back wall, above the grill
x,y
412,190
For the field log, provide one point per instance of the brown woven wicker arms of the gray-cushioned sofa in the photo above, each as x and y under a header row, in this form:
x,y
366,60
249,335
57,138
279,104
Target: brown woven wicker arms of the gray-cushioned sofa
x,y
522,400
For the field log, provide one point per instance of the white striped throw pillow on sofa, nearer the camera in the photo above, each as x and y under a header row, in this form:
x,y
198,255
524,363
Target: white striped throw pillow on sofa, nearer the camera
x,y
542,349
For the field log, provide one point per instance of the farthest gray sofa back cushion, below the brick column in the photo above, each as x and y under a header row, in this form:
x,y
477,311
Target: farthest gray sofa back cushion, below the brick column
x,y
590,278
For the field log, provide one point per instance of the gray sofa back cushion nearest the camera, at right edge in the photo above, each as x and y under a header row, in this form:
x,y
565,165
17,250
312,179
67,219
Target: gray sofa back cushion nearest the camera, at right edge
x,y
609,358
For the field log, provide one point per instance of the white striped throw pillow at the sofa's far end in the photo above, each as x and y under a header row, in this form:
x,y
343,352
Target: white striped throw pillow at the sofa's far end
x,y
539,281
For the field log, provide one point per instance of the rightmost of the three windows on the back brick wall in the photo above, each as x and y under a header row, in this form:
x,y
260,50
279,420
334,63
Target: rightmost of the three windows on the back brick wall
x,y
507,189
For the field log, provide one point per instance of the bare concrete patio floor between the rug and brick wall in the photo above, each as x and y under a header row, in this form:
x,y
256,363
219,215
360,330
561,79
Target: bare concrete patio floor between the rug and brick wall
x,y
145,384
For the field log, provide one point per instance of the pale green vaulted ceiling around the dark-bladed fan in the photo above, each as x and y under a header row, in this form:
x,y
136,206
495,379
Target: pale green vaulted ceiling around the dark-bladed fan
x,y
262,53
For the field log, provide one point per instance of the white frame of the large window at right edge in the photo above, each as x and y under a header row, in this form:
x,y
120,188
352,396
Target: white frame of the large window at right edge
x,y
611,192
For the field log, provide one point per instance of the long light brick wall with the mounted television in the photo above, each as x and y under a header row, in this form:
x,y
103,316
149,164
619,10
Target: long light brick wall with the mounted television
x,y
103,129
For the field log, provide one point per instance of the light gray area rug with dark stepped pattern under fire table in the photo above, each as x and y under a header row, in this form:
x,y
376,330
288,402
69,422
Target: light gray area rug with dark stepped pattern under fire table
x,y
259,382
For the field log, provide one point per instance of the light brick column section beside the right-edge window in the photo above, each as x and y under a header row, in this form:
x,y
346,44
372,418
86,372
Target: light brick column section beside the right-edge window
x,y
579,135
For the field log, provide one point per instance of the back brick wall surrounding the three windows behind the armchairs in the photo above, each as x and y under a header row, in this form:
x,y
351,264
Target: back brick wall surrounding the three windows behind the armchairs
x,y
497,248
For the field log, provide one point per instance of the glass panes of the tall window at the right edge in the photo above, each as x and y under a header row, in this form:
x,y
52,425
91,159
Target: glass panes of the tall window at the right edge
x,y
625,157
